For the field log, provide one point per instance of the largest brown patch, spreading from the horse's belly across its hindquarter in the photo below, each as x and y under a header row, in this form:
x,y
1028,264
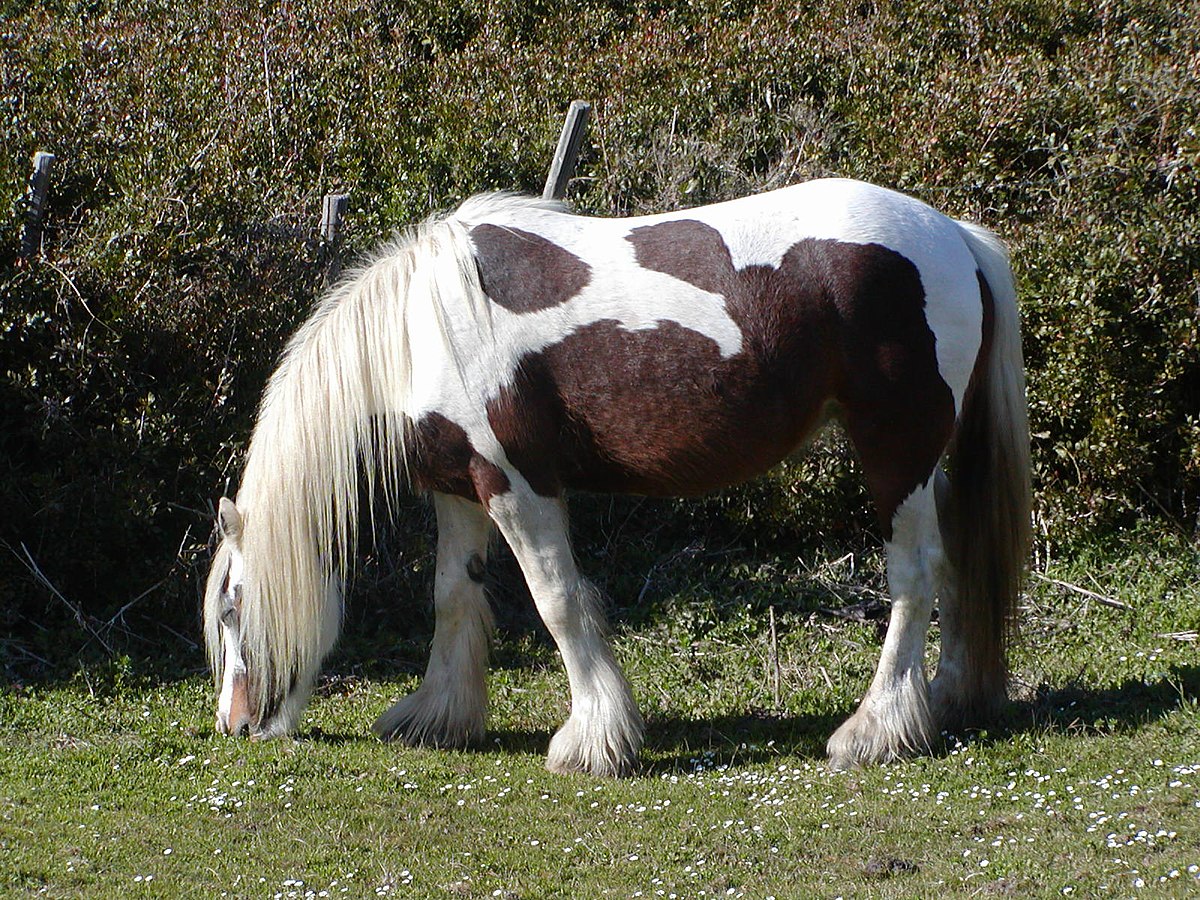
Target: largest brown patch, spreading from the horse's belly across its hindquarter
x,y
659,412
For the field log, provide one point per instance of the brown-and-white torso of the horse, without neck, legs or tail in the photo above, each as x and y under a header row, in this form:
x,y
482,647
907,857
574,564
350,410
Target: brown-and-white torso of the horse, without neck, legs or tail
x,y
680,353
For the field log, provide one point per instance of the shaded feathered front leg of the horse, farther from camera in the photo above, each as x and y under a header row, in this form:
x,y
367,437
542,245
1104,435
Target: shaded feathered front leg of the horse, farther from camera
x,y
449,709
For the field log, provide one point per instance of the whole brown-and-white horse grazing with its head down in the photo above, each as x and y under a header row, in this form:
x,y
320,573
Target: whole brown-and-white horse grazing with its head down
x,y
511,351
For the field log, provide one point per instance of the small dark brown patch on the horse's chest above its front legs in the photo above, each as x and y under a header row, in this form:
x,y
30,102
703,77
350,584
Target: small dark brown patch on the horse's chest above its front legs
x,y
442,459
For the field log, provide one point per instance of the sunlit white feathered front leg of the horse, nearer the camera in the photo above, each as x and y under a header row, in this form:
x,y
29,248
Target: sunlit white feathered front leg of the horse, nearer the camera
x,y
604,733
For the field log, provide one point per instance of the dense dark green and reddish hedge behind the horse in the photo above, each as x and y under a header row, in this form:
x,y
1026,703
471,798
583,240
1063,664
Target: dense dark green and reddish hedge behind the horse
x,y
195,143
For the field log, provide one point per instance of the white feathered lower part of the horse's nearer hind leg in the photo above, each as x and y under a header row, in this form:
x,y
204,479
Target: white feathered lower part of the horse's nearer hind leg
x,y
895,718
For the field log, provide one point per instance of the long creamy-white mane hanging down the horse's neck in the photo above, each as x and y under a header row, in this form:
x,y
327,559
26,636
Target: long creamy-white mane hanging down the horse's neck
x,y
333,410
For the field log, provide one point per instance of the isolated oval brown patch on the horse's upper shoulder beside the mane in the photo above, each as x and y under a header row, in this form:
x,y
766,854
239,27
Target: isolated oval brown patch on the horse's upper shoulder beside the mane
x,y
524,272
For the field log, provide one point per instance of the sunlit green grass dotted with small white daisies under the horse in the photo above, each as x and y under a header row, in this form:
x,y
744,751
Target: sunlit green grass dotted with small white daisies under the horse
x,y
113,783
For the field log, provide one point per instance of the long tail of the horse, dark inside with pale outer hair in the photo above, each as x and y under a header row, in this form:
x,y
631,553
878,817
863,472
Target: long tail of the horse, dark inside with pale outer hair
x,y
987,513
